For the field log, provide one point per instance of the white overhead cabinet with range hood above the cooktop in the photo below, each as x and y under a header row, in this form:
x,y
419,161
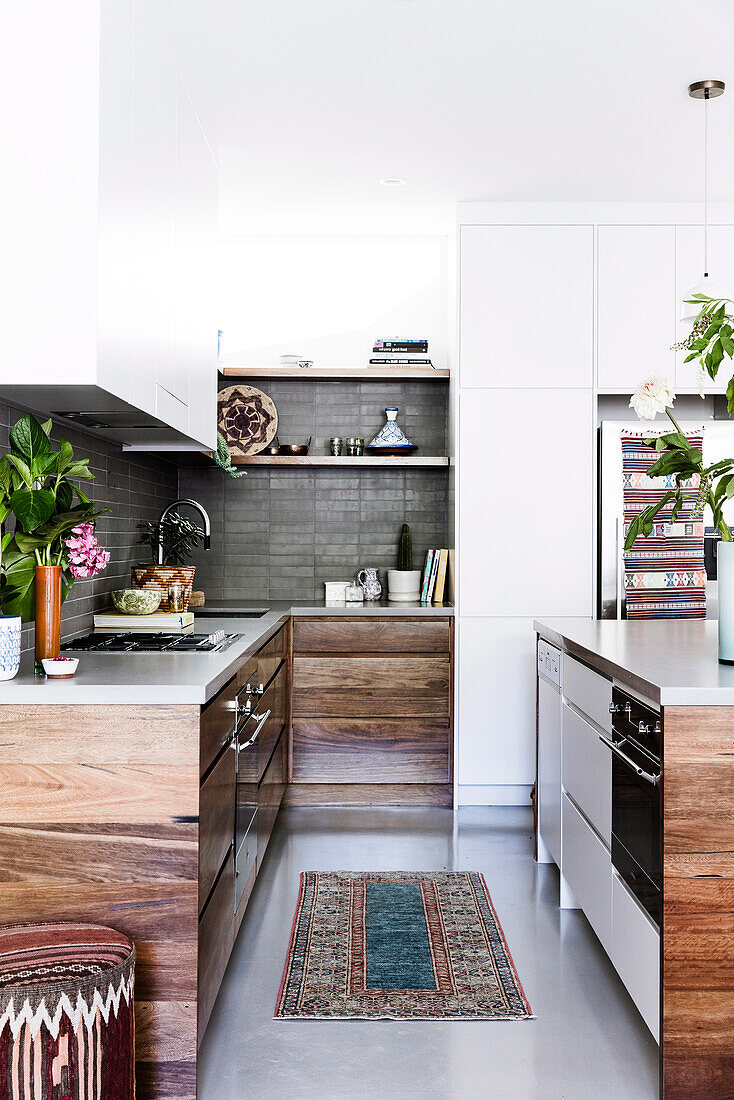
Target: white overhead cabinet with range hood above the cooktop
x,y
109,204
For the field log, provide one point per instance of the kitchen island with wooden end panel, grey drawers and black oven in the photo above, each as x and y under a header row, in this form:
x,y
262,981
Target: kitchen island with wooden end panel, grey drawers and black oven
x,y
670,670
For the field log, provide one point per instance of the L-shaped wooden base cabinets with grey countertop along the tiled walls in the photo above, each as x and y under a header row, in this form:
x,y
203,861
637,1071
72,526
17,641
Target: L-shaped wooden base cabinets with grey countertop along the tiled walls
x,y
123,790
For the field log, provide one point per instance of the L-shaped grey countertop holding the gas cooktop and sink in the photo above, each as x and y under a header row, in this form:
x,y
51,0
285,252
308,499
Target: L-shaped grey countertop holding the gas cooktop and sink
x,y
180,678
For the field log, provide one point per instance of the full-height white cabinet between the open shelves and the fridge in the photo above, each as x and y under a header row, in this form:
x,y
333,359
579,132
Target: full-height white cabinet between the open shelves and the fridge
x,y
525,481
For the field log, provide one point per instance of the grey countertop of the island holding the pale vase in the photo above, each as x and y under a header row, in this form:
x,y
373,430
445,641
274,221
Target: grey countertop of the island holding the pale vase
x,y
674,663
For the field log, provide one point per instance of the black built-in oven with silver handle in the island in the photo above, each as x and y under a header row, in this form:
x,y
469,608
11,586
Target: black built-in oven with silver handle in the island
x,y
637,783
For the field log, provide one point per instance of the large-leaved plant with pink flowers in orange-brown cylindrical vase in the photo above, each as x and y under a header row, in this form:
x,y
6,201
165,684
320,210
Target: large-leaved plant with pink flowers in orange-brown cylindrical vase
x,y
53,543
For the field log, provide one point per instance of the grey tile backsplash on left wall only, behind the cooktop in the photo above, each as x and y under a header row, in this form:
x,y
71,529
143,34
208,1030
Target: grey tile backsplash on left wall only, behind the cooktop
x,y
135,488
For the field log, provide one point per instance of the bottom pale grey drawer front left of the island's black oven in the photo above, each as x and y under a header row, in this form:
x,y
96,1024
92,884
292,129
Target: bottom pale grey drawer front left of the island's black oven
x,y
588,871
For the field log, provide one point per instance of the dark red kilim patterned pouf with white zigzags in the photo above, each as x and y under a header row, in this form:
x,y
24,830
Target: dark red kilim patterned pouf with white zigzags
x,y
67,1014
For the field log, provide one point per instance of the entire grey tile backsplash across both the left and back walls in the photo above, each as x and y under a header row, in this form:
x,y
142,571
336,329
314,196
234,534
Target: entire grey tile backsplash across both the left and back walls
x,y
279,533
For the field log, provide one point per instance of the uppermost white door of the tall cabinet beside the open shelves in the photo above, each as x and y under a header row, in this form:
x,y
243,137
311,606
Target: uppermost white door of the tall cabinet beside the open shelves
x,y
527,306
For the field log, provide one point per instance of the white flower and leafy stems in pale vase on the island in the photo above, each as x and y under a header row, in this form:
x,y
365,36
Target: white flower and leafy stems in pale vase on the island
x,y
709,344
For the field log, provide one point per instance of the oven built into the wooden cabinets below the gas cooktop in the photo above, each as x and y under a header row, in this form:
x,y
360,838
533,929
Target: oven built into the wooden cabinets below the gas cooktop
x,y
249,723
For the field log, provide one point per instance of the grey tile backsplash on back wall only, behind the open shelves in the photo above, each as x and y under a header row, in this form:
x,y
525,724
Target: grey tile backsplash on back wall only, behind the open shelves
x,y
280,533
